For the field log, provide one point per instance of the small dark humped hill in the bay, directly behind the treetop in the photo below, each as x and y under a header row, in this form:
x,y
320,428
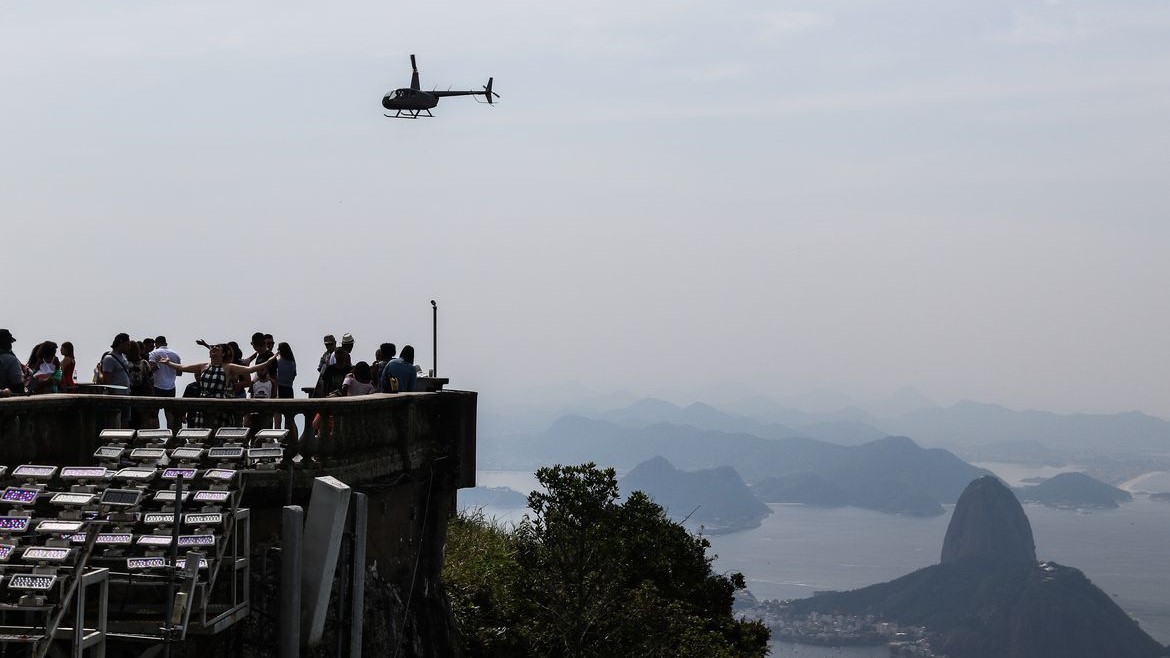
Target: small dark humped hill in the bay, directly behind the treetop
x,y
715,498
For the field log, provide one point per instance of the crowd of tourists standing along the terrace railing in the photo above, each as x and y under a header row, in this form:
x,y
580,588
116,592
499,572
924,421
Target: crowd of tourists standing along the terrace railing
x,y
149,367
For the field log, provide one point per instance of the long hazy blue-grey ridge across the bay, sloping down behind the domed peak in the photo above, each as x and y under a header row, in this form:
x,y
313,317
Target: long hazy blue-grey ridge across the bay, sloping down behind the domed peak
x,y
891,475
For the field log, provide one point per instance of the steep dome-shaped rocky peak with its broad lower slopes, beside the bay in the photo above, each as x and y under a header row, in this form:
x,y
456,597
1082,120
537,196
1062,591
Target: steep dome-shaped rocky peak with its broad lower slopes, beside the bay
x,y
990,598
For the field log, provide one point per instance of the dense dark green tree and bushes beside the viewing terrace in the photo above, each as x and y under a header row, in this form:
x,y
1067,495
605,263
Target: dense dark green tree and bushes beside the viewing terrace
x,y
587,577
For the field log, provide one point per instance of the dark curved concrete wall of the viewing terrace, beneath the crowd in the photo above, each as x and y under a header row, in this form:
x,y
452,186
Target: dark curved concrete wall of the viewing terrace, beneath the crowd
x,y
408,453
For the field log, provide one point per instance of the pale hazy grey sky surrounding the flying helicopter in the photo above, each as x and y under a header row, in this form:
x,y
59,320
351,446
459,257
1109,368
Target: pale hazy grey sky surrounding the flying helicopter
x,y
971,198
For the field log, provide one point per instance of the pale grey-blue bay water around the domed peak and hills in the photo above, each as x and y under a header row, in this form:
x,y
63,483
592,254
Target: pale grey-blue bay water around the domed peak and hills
x,y
799,551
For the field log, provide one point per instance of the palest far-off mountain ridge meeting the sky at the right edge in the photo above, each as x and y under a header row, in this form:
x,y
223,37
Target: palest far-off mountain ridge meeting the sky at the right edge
x,y
972,423
